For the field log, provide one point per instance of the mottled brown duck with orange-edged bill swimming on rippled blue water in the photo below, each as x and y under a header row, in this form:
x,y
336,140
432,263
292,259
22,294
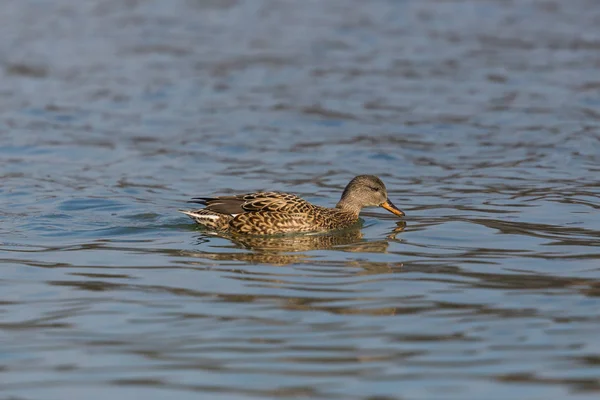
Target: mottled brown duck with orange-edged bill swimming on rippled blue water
x,y
273,213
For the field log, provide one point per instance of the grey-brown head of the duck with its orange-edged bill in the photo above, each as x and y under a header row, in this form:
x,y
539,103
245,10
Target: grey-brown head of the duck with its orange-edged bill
x,y
366,191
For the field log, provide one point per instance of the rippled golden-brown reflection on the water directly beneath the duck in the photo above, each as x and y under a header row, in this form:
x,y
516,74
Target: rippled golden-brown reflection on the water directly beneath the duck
x,y
283,250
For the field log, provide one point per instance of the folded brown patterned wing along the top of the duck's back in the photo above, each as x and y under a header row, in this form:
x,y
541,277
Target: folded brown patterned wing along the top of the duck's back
x,y
254,202
